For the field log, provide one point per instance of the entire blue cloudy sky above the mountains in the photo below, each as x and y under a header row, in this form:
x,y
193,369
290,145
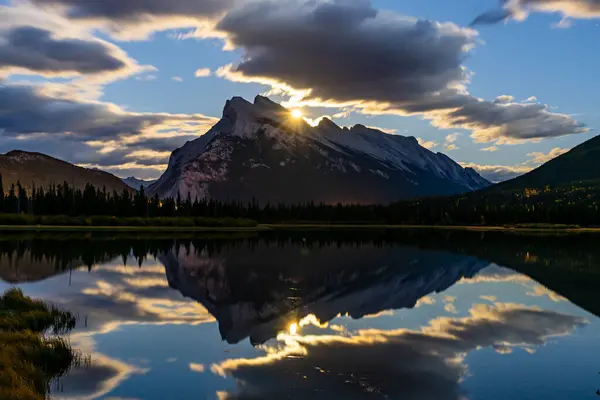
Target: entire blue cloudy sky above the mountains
x,y
498,86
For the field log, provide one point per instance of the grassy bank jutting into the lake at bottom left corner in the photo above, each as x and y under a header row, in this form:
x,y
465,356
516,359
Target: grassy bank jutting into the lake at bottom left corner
x,y
29,358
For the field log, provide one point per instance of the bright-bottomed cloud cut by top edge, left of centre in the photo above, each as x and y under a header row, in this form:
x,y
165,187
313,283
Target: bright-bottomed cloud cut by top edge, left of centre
x,y
138,19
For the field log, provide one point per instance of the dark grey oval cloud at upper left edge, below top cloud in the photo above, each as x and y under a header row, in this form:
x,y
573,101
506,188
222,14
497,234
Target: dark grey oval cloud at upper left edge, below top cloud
x,y
27,48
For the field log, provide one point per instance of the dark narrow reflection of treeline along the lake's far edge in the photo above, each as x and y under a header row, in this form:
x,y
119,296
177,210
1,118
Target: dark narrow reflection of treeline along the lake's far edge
x,y
573,251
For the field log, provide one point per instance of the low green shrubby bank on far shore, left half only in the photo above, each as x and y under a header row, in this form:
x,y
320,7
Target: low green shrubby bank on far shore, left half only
x,y
102,221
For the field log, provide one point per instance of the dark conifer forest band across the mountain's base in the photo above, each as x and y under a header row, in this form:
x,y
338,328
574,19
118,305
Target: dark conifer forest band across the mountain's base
x,y
572,205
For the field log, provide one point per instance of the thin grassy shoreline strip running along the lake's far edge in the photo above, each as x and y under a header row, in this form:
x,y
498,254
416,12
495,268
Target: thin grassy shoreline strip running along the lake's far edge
x,y
273,227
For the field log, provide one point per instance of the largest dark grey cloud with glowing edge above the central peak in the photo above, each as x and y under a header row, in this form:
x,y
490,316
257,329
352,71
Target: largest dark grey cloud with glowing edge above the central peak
x,y
375,62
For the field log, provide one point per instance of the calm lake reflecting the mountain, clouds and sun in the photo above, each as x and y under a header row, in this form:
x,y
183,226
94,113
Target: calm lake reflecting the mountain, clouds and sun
x,y
321,314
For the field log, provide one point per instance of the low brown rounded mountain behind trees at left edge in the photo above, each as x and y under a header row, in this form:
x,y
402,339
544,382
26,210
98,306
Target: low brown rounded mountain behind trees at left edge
x,y
42,170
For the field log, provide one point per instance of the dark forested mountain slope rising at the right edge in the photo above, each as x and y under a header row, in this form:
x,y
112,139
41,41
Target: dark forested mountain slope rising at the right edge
x,y
580,166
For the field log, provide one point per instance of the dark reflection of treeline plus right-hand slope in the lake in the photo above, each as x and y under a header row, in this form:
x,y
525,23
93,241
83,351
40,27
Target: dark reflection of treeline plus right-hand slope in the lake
x,y
567,263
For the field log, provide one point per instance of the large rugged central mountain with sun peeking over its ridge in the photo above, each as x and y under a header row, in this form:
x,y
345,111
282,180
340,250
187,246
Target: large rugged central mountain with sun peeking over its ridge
x,y
258,150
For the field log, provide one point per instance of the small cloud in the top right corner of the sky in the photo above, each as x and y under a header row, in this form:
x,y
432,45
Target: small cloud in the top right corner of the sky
x,y
519,10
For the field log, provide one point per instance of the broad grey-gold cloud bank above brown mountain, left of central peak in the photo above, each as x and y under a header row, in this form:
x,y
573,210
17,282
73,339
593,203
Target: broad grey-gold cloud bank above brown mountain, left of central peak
x,y
92,132
